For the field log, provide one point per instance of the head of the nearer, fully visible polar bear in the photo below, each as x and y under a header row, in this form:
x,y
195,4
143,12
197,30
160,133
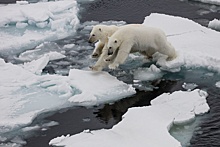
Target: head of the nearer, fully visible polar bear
x,y
113,44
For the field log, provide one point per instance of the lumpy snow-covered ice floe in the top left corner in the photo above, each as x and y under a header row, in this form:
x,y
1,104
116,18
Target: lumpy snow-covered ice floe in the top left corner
x,y
26,26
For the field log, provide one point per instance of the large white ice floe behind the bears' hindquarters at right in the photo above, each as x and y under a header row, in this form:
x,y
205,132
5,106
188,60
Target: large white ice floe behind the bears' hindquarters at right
x,y
197,46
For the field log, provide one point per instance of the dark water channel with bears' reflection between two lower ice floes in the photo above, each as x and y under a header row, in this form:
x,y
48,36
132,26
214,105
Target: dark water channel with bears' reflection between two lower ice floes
x,y
105,116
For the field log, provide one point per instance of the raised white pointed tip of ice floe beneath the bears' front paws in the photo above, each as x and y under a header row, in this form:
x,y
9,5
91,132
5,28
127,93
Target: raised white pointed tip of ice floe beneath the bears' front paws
x,y
97,87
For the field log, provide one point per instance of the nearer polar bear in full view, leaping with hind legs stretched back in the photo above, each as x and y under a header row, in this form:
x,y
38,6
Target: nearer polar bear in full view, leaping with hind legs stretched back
x,y
146,40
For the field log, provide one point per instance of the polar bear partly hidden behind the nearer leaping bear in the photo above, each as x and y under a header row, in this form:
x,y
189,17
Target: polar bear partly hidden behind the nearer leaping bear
x,y
101,33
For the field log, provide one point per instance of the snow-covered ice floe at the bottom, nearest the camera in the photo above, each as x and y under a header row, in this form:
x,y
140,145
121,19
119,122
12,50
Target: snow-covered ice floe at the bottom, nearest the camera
x,y
152,126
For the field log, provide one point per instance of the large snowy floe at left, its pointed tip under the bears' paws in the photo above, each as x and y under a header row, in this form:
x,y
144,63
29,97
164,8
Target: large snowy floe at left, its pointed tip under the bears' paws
x,y
25,93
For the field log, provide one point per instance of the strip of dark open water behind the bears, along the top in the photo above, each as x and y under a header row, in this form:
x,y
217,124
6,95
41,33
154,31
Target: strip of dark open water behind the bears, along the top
x,y
134,11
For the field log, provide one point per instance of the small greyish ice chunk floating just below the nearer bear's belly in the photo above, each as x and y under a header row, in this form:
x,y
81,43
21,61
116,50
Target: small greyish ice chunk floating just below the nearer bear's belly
x,y
148,74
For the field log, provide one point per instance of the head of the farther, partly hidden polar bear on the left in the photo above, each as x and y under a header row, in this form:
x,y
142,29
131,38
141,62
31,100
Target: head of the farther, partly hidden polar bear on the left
x,y
96,34
